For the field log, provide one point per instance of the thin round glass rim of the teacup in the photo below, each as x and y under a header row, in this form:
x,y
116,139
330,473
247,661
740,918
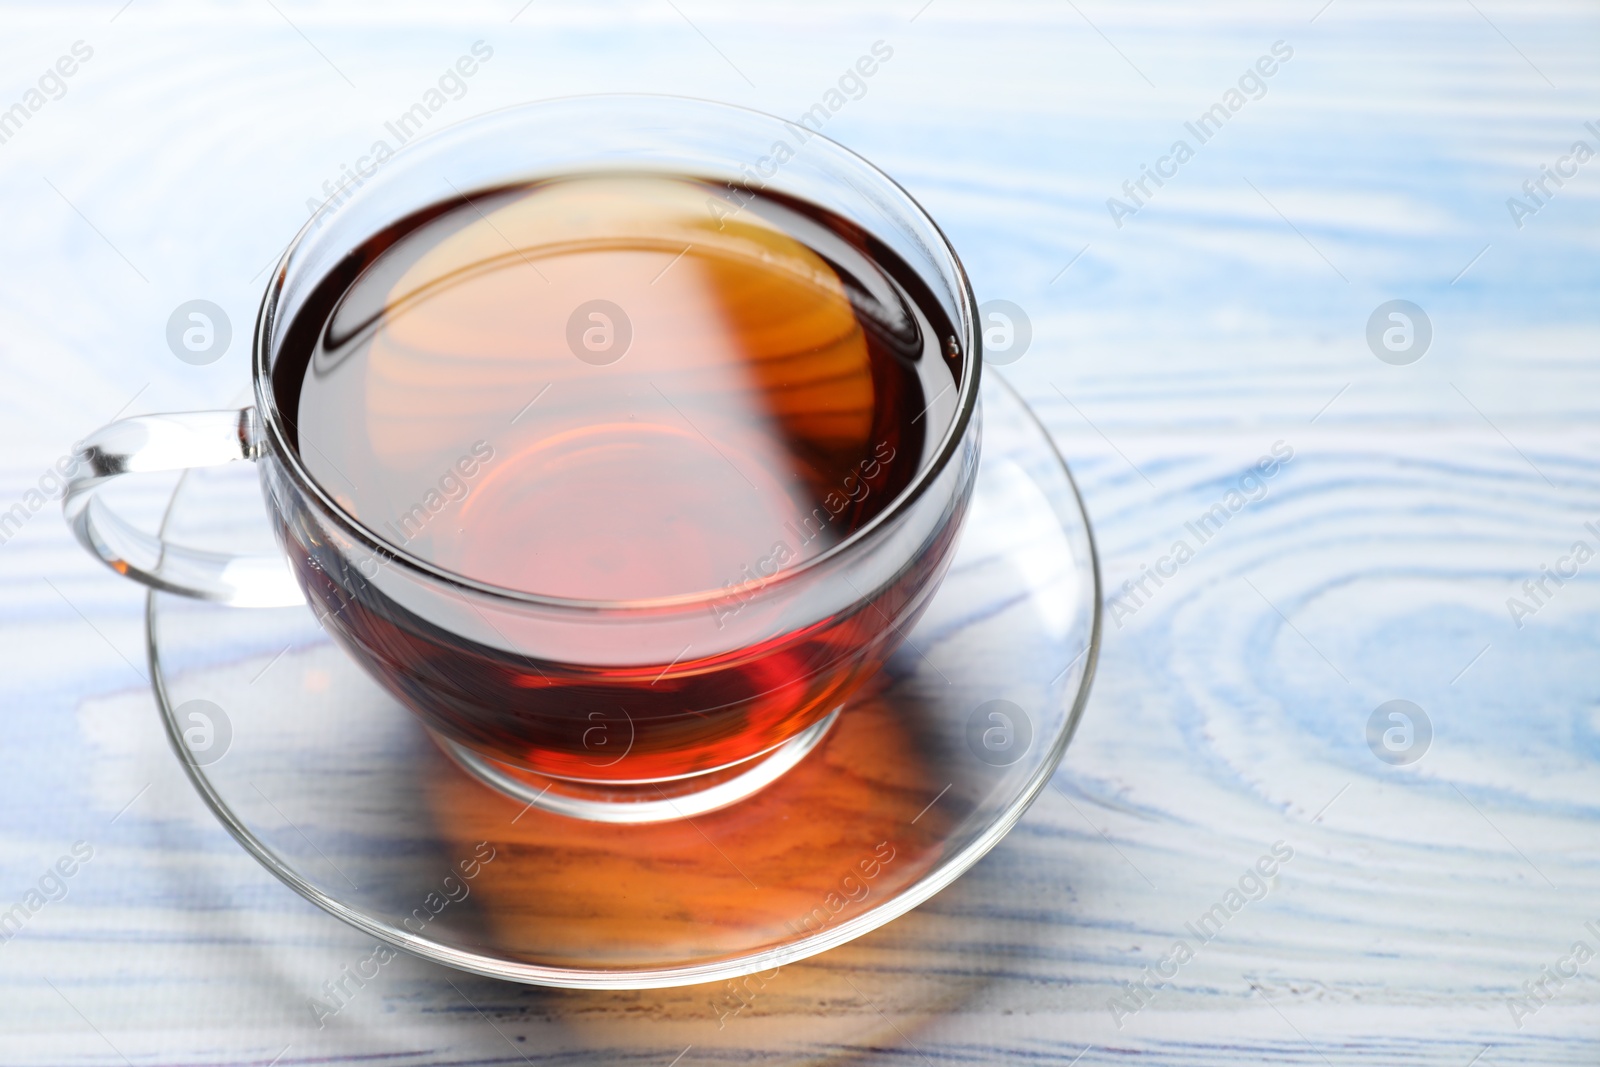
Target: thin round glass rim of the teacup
x,y
967,396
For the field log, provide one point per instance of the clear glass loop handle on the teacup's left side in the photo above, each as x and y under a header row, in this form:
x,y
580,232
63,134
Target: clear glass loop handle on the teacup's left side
x,y
172,442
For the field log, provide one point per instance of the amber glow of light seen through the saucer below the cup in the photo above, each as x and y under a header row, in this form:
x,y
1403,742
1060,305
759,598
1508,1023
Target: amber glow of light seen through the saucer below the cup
x,y
823,845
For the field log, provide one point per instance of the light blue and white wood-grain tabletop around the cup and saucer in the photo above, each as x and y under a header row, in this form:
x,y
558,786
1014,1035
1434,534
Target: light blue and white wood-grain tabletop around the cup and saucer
x,y
1177,340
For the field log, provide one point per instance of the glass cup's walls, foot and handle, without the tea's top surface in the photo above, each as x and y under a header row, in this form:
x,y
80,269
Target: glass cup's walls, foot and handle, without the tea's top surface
x,y
625,711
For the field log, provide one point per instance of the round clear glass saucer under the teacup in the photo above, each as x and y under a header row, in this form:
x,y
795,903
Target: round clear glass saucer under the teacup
x,y
342,794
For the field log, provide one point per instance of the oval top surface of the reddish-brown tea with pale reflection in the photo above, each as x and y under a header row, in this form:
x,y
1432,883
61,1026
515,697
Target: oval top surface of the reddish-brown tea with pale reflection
x,y
599,388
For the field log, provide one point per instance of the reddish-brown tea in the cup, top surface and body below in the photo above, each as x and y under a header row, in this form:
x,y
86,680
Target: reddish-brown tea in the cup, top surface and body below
x,y
598,390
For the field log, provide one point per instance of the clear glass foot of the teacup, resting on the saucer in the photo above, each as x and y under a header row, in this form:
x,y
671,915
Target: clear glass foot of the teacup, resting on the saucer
x,y
639,802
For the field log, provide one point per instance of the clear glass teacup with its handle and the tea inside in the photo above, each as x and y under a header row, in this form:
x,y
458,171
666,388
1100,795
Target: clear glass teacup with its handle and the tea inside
x,y
620,708
